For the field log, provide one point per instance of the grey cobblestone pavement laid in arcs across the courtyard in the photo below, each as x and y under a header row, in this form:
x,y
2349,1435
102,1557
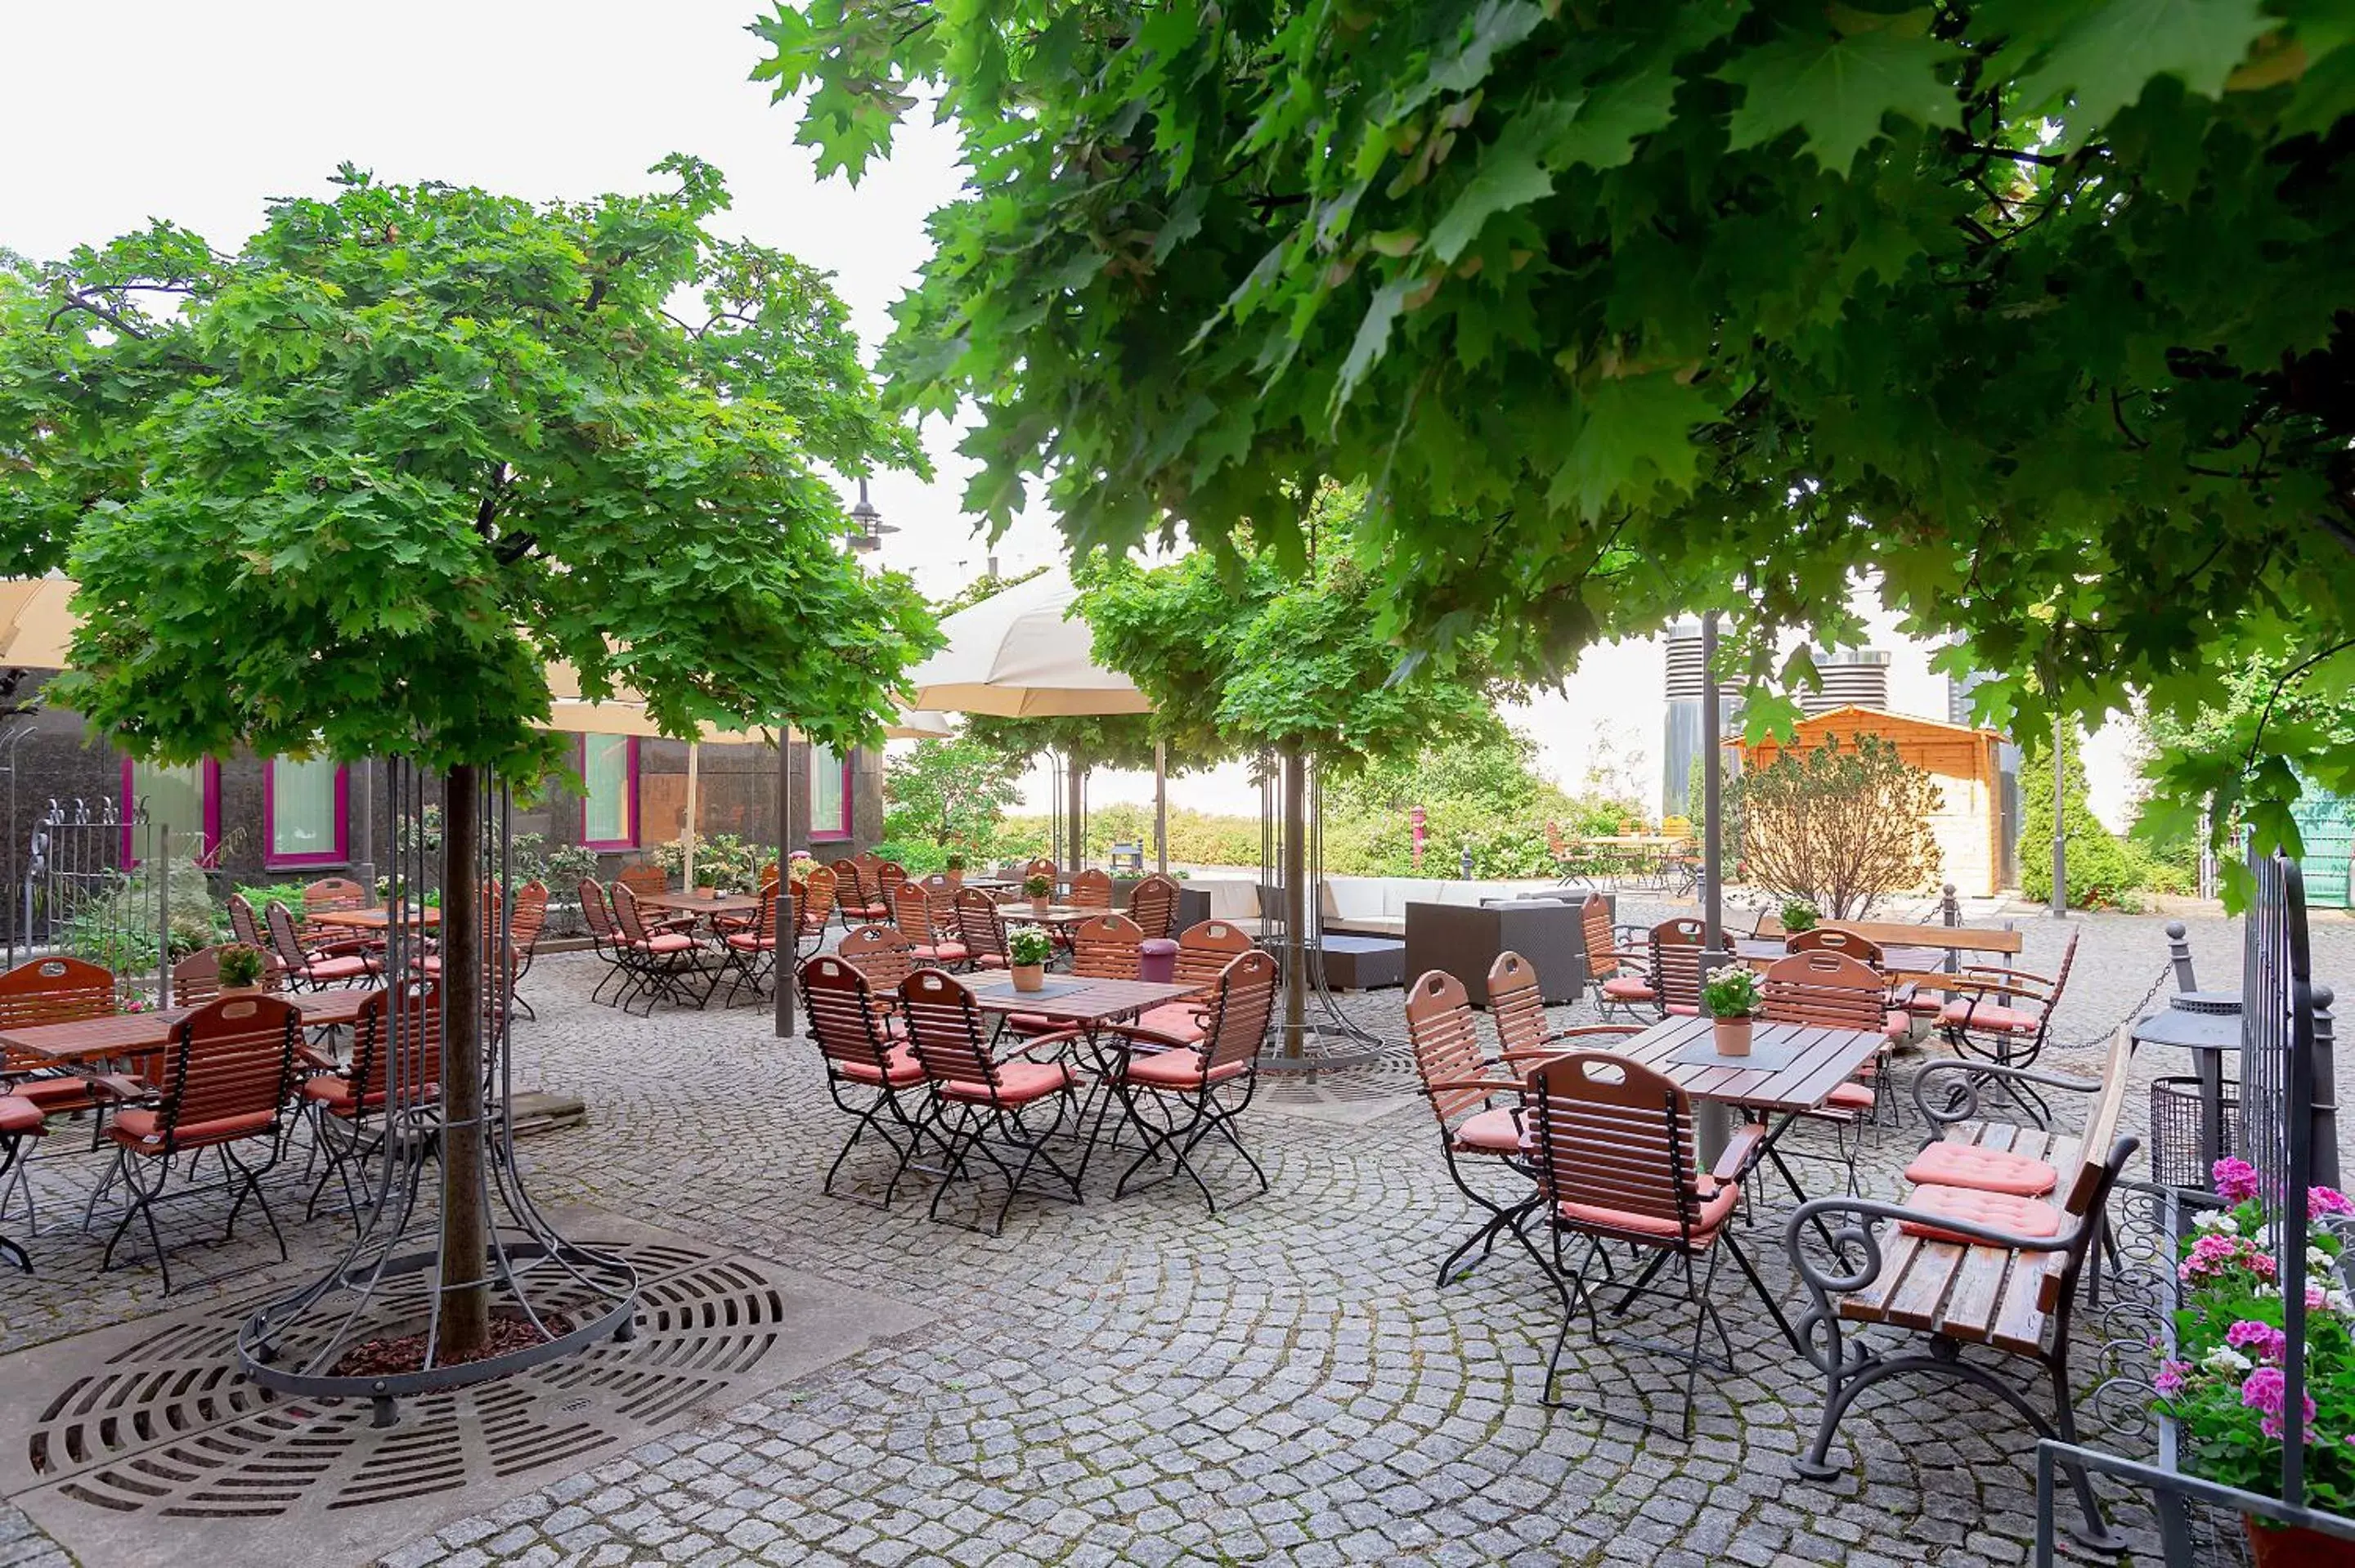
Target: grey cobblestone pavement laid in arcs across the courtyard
x,y
1139,1383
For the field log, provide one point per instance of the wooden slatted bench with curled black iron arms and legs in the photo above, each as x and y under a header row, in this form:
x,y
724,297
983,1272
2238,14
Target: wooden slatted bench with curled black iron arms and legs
x,y
1968,1282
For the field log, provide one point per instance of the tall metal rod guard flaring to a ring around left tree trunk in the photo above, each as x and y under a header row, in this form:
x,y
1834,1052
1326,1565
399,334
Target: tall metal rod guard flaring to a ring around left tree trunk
x,y
385,1301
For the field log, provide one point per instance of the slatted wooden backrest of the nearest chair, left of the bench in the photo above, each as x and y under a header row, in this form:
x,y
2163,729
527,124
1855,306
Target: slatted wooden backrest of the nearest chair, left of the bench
x,y
1614,1134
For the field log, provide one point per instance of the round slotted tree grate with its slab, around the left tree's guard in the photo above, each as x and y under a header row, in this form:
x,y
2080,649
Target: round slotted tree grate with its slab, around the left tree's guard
x,y
150,1433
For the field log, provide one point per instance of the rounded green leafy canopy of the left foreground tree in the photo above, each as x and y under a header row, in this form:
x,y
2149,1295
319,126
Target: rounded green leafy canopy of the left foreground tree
x,y
354,486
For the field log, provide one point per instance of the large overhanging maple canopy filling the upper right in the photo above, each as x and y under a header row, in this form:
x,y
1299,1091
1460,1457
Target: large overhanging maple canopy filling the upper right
x,y
2036,310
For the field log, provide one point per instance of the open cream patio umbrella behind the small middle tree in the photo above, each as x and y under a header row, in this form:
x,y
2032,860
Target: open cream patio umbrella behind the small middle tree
x,y
1021,653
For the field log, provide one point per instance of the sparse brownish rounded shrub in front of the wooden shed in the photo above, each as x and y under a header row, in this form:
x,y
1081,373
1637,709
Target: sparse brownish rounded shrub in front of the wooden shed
x,y
1840,828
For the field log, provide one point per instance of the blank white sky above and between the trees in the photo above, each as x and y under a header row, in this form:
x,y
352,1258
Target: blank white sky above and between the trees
x,y
204,112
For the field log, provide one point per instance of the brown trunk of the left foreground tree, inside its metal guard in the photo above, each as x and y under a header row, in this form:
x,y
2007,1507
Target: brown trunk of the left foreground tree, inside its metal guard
x,y
465,1324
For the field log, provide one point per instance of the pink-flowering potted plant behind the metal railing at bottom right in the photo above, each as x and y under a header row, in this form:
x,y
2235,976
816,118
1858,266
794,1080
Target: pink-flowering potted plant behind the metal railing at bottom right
x,y
2224,1383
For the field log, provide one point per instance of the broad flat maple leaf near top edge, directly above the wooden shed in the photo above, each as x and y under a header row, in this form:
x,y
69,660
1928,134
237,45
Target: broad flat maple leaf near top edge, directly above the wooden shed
x,y
1840,88
